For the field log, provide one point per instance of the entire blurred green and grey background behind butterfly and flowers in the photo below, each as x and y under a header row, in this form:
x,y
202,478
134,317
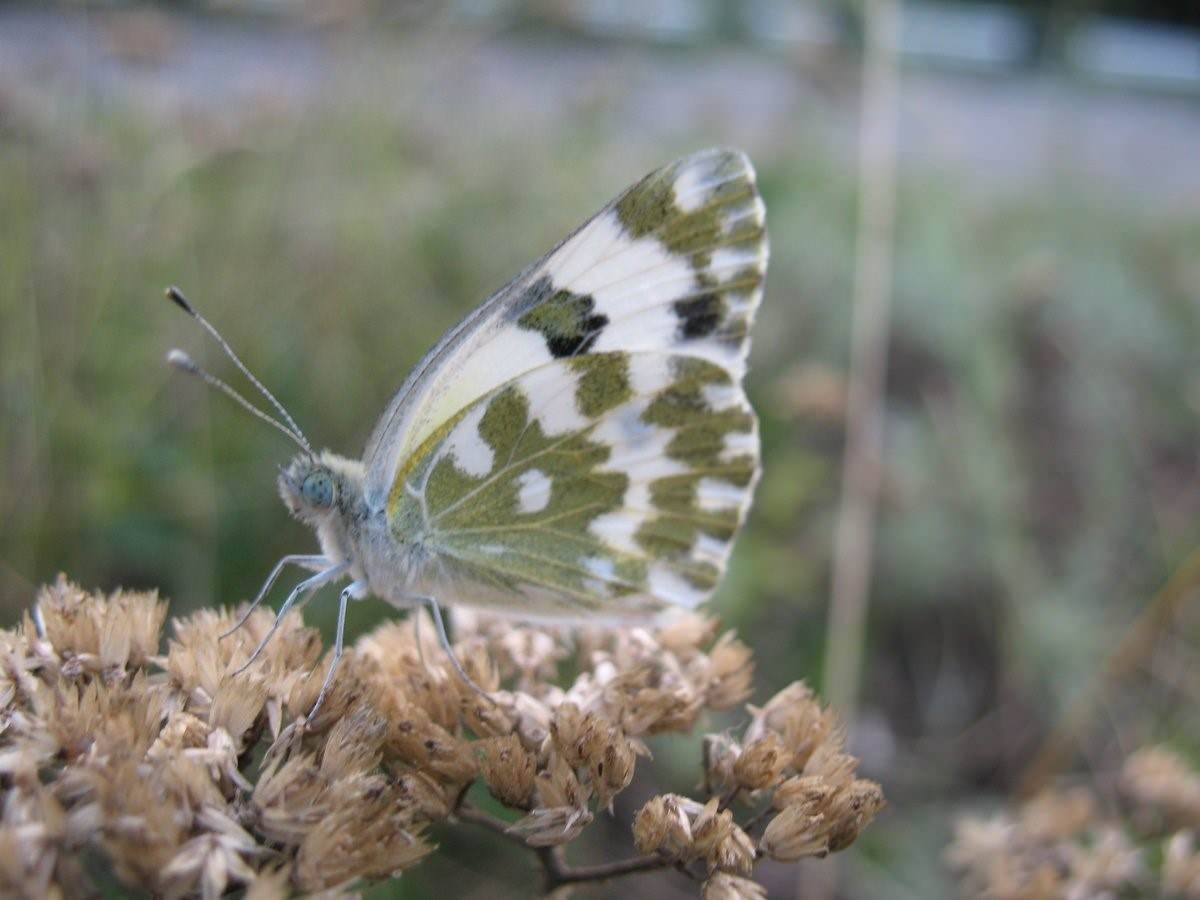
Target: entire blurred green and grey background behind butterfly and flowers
x,y
335,183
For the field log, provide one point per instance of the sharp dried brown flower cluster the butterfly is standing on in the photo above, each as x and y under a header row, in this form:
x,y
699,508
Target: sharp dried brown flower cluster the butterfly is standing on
x,y
166,773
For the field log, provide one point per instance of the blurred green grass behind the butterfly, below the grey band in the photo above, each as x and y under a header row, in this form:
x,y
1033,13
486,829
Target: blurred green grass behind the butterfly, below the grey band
x,y
1045,389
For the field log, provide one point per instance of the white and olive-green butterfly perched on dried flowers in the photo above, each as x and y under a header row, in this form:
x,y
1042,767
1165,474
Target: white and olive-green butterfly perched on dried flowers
x,y
579,448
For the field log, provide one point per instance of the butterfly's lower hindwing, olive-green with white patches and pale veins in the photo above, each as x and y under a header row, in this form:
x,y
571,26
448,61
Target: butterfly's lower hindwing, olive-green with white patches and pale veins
x,y
610,485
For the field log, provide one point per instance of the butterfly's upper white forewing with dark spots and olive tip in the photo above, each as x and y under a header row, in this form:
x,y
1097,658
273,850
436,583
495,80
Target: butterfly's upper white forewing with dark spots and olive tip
x,y
673,267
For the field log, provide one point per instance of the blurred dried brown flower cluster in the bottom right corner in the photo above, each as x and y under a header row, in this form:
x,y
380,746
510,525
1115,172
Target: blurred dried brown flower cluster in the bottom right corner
x,y
1077,843
